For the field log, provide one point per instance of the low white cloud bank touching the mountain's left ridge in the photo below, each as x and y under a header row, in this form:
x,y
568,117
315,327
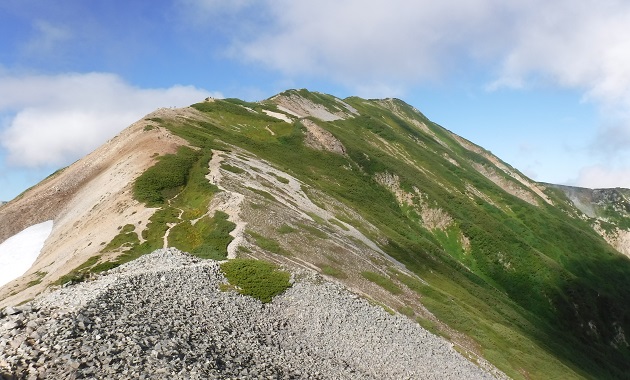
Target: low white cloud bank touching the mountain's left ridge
x,y
58,119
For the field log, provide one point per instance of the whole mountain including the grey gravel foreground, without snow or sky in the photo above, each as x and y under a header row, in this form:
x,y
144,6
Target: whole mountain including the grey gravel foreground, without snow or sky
x,y
326,238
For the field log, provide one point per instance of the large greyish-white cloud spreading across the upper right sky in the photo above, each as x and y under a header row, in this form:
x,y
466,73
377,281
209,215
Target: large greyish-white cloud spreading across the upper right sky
x,y
581,45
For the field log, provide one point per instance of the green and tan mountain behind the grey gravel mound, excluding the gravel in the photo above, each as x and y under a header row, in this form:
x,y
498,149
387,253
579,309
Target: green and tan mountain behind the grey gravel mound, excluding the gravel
x,y
531,277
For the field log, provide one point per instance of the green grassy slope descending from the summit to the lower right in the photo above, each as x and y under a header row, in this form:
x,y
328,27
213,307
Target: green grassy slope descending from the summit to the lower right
x,y
530,318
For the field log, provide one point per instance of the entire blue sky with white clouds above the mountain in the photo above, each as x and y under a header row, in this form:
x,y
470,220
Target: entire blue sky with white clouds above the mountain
x,y
545,85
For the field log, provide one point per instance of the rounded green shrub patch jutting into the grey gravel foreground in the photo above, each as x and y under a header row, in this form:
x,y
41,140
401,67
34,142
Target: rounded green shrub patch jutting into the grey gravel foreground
x,y
256,278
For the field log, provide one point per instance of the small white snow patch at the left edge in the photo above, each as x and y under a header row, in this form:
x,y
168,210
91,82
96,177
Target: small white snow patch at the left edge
x,y
19,252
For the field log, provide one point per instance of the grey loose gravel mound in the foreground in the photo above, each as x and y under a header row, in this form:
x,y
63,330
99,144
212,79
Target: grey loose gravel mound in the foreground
x,y
162,316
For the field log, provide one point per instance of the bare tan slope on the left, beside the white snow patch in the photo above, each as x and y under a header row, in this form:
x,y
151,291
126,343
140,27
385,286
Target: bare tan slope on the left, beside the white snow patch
x,y
87,201
